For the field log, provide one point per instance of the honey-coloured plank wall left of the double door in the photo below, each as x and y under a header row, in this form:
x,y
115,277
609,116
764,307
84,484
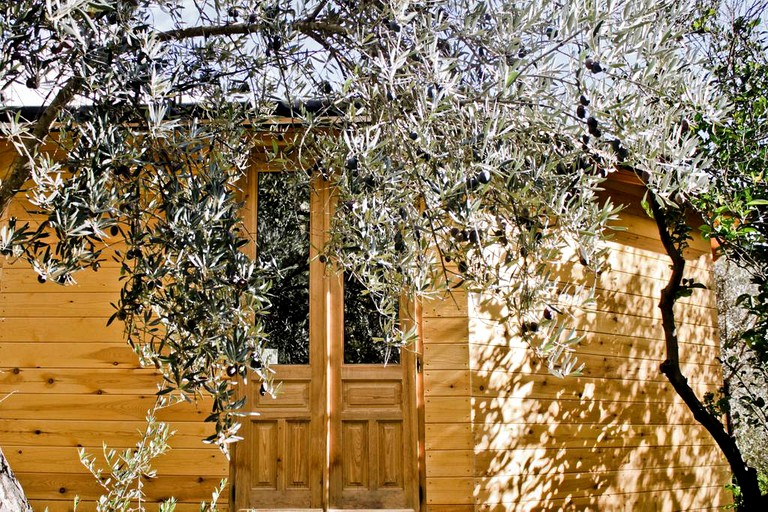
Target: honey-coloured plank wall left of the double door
x,y
70,382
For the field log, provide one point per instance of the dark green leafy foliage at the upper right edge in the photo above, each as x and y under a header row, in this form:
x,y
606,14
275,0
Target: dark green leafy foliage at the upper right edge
x,y
737,206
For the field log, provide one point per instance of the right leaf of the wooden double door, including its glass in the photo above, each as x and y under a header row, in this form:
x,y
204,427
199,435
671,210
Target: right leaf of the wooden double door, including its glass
x,y
372,443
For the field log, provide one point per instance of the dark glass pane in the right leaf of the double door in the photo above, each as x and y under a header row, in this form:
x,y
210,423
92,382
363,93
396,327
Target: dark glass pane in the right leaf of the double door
x,y
362,323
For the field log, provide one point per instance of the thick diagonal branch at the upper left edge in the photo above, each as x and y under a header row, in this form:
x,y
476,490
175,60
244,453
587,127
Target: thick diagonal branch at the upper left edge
x,y
21,170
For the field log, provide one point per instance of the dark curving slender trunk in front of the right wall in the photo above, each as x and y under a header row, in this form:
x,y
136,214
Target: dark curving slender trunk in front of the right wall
x,y
745,475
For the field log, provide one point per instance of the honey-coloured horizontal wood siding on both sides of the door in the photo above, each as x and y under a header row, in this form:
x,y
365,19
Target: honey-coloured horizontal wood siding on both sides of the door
x,y
499,432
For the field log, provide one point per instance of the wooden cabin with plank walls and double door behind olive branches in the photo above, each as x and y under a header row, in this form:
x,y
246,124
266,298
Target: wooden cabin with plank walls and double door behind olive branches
x,y
465,420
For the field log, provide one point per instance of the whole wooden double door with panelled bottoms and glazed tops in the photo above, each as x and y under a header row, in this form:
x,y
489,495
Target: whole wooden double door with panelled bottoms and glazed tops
x,y
340,432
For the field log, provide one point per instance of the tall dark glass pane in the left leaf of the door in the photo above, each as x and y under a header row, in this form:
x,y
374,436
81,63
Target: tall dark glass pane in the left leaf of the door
x,y
282,244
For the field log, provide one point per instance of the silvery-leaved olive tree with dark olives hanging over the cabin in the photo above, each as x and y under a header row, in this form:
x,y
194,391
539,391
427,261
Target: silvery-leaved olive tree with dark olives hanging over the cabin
x,y
465,141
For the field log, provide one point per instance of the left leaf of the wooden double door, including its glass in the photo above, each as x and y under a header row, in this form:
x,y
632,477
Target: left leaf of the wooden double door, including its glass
x,y
281,462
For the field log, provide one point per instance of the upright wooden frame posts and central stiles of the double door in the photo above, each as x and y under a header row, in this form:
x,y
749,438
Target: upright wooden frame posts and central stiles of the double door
x,y
322,307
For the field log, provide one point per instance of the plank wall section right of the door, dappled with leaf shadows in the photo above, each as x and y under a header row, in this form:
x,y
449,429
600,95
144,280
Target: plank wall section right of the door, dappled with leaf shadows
x,y
616,438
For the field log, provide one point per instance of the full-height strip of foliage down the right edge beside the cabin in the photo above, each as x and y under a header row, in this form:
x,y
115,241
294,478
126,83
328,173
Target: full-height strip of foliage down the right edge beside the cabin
x,y
736,207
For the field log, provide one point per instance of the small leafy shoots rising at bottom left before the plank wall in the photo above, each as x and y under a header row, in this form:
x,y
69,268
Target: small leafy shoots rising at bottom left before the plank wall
x,y
127,470
